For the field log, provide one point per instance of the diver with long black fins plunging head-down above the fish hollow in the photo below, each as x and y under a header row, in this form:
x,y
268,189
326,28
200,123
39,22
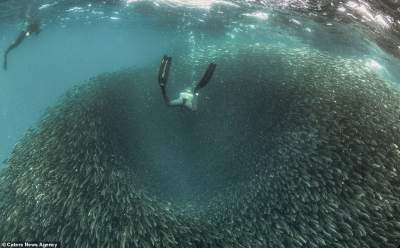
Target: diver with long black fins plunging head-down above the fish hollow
x,y
189,97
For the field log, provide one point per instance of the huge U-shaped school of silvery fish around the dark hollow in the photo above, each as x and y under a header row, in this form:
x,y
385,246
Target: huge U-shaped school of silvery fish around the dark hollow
x,y
326,140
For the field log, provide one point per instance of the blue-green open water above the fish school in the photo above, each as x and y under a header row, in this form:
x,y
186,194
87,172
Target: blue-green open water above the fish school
x,y
83,40
